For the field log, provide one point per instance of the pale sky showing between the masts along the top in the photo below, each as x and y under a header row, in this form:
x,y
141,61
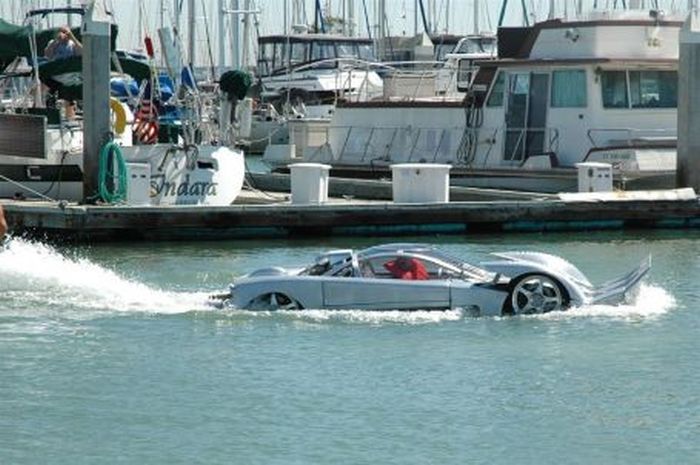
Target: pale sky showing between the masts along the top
x,y
138,17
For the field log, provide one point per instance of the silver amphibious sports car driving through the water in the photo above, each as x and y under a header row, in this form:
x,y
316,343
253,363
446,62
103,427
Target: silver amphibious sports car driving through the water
x,y
422,277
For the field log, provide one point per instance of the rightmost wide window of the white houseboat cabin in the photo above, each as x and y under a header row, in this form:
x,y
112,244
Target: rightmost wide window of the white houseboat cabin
x,y
653,89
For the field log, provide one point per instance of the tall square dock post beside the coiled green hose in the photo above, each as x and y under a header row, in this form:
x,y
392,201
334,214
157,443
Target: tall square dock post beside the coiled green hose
x,y
96,126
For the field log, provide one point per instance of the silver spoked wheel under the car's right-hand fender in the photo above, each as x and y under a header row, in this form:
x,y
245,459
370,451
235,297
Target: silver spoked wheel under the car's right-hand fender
x,y
536,293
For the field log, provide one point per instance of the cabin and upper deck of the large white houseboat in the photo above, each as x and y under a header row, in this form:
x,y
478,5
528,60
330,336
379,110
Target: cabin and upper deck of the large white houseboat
x,y
566,89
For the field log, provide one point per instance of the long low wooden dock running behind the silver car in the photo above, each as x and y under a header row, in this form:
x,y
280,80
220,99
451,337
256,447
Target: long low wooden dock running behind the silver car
x,y
666,209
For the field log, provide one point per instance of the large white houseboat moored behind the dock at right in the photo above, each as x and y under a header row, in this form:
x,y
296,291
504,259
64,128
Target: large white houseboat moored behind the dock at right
x,y
604,89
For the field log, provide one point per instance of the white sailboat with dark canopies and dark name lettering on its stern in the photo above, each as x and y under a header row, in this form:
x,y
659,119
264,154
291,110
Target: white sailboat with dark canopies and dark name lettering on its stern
x,y
41,150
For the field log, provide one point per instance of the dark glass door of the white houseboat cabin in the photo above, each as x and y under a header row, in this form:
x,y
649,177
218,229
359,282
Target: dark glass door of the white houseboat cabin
x,y
526,116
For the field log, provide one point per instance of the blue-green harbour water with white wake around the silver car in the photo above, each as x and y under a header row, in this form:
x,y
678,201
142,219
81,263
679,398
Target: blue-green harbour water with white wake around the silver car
x,y
111,354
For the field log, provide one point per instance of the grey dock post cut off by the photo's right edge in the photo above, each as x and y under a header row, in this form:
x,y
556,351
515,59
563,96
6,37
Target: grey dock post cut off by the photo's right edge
x,y
688,164
